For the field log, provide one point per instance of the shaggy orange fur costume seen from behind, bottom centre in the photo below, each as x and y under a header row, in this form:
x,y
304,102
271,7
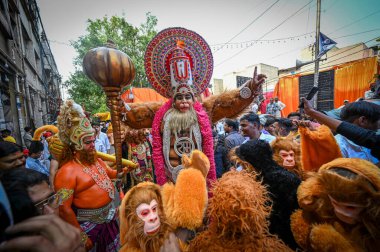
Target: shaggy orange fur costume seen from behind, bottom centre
x,y
238,214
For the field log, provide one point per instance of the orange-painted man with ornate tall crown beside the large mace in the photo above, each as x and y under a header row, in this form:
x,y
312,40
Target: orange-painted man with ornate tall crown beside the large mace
x,y
86,180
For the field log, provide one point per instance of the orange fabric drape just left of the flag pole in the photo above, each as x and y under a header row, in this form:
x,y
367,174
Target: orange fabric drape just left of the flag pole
x,y
287,91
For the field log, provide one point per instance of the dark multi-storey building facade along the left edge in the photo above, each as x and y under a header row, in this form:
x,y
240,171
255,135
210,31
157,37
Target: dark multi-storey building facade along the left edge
x,y
30,83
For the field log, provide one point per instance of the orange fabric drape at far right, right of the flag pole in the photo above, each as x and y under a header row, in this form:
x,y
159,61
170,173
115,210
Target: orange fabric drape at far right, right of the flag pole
x,y
352,80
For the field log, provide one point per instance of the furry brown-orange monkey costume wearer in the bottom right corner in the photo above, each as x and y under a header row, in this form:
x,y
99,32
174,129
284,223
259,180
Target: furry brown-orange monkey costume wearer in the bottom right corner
x,y
340,208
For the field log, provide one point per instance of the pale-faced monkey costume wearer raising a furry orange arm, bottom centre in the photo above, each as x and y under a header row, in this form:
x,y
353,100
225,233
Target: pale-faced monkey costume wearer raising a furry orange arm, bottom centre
x,y
155,218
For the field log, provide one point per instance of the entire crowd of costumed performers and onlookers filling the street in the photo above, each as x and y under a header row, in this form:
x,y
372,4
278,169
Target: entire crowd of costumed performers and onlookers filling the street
x,y
206,175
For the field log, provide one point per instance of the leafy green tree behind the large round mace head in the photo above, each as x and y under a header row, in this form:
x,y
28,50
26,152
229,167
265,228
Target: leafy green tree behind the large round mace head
x,y
127,38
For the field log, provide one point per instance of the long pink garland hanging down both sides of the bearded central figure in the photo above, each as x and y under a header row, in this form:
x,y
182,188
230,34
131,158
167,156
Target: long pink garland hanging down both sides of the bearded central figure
x,y
207,142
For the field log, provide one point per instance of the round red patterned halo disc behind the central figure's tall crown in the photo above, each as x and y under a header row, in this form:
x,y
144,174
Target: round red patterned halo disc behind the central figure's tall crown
x,y
160,49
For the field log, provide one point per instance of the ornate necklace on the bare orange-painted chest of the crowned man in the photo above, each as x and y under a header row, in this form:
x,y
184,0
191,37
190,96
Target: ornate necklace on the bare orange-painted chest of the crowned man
x,y
101,178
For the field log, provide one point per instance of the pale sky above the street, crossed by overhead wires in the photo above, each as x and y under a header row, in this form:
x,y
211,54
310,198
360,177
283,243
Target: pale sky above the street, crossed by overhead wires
x,y
281,28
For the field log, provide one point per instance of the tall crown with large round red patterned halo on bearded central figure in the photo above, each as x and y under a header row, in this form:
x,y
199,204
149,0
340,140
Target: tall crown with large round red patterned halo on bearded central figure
x,y
178,60
